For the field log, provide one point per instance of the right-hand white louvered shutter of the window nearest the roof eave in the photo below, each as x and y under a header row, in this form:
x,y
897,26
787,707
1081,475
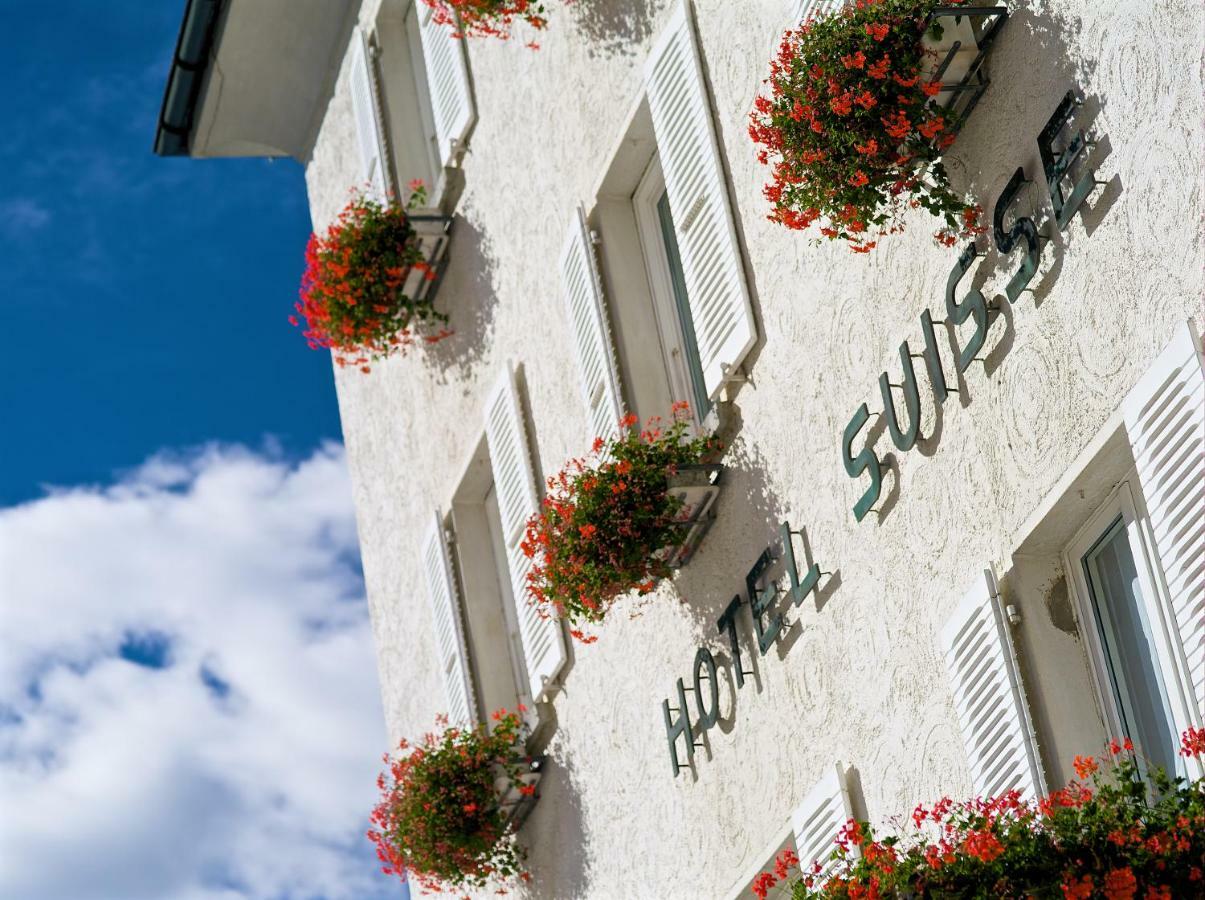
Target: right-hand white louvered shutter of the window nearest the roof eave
x,y
448,81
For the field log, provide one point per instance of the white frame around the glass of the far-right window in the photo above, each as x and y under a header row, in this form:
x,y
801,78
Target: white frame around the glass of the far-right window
x,y
1125,505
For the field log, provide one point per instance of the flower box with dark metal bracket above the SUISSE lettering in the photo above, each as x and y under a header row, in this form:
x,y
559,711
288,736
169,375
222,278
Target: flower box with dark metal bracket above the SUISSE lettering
x,y
959,58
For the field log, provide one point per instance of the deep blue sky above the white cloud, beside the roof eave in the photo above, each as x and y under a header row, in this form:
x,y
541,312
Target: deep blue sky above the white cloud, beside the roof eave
x,y
145,299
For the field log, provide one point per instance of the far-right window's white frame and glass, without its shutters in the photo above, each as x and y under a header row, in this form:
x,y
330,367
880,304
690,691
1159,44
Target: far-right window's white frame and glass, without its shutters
x,y
1115,592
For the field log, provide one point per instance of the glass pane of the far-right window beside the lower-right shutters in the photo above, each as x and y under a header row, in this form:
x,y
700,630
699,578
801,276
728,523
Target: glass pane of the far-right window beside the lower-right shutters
x,y
1131,649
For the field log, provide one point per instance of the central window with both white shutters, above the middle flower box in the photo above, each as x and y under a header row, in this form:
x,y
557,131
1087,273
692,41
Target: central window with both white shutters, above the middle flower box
x,y
674,319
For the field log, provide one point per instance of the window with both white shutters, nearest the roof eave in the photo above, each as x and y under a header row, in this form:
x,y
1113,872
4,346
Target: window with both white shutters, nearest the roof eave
x,y
413,101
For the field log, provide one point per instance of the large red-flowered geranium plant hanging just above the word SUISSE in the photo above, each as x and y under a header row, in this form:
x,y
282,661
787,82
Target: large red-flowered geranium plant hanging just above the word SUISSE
x,y
850,128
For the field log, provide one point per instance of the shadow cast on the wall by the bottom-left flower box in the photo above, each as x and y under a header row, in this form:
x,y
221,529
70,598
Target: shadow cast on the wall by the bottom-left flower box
x,y
555,834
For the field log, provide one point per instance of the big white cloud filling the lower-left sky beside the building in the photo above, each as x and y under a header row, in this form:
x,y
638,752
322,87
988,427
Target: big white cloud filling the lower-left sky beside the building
x,y
244,766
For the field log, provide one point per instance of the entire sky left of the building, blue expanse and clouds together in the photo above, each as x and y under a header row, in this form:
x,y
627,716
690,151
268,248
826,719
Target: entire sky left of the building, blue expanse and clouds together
x,y
189,697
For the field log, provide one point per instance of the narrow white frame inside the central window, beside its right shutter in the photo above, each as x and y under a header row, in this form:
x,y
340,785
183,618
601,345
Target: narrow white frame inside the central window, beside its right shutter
x,y
661,286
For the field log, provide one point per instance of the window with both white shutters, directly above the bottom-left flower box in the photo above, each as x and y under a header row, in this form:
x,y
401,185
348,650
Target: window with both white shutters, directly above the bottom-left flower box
x,y
495,649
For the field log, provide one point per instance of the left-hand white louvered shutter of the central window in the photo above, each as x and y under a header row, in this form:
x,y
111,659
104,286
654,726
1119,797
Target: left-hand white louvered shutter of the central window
x,y
592,331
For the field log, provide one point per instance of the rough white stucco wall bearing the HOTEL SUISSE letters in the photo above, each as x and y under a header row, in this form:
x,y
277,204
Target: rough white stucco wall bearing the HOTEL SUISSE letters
x,y
861,679
